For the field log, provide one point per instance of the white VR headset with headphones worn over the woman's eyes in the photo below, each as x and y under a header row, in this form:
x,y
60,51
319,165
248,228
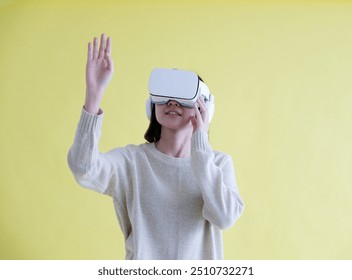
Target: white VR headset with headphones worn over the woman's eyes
x,y
185,87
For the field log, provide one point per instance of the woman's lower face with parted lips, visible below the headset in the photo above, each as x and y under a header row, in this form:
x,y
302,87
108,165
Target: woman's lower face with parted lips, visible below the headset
x,y
174,116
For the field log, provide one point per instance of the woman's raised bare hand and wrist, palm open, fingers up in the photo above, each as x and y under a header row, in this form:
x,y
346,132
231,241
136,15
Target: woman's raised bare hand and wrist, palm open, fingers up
x,y
99,70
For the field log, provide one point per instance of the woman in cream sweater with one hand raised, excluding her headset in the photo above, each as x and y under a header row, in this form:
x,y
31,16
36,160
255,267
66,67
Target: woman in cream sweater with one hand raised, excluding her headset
x,y
172,195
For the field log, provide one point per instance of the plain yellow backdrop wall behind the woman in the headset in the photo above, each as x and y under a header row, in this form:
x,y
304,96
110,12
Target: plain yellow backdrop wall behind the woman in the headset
x,y
281,75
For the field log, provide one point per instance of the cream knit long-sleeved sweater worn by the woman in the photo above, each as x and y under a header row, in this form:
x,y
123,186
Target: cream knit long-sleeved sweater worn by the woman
x,y
167,208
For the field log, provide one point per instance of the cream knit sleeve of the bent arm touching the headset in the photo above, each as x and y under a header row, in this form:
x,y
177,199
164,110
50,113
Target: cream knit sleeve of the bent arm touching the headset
x,y
223,204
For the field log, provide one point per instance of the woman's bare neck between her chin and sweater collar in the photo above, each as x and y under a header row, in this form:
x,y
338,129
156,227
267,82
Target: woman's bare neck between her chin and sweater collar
x,y
174,143
